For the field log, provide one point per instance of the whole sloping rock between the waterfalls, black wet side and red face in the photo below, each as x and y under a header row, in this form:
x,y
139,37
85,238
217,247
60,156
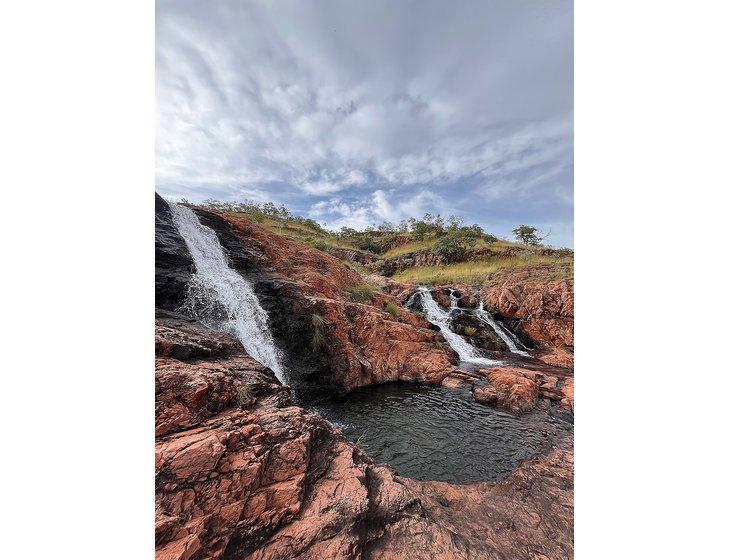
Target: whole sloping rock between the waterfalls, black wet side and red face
x,y
309,297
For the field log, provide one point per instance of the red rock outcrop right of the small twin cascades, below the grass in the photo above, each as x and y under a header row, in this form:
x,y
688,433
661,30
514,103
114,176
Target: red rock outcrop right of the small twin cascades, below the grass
x,y
543,310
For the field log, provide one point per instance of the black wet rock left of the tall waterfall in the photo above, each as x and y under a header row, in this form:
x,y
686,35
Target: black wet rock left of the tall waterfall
x,y
173,264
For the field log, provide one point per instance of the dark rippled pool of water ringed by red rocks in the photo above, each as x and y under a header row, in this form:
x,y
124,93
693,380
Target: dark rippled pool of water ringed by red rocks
x,y
432,433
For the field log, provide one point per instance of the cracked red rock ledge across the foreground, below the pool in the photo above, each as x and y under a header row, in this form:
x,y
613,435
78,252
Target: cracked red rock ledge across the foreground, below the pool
x,y
271,481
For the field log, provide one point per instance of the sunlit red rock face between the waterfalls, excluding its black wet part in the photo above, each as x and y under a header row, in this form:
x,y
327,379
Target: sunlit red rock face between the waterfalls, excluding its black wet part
x,y
363,343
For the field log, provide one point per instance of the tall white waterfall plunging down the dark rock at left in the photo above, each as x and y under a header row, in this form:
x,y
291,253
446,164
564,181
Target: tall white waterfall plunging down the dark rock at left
x,y
221,298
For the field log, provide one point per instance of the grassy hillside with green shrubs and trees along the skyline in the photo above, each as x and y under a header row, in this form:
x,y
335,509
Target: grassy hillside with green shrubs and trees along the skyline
x,y
421,251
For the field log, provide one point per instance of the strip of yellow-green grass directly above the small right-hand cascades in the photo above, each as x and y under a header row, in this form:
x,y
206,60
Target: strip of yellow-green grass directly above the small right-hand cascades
x,y
479,272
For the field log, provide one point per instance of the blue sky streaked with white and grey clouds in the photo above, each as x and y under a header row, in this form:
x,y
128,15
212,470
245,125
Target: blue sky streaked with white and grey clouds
x,y
355,113
